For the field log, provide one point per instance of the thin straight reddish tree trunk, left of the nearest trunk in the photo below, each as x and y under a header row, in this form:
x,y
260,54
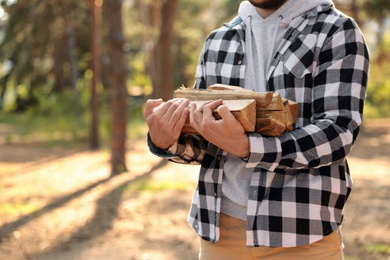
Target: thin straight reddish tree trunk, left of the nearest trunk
x,y
96,11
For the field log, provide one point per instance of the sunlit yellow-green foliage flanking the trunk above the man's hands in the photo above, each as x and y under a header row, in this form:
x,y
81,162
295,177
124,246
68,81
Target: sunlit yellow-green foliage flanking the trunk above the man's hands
x,y
195,20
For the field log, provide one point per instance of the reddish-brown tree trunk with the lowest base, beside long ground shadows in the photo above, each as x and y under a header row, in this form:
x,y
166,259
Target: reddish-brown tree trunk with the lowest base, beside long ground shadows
x,y
117,85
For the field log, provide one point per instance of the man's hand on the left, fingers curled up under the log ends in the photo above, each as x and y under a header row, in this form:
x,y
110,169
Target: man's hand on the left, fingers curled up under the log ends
x,y
165,120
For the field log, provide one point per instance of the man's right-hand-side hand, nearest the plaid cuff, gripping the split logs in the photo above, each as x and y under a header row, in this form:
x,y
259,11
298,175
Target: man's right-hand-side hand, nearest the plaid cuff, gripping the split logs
x,y
226,133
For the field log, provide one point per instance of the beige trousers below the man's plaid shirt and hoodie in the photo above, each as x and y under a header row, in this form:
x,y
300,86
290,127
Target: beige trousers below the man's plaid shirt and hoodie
x,y
232,245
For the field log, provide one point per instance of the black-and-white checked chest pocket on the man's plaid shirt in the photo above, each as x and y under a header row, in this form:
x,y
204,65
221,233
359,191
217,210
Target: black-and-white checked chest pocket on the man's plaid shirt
x,y
299,58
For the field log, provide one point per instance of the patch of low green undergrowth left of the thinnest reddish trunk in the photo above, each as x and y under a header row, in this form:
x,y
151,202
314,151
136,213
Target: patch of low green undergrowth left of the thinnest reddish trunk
x,y
56,117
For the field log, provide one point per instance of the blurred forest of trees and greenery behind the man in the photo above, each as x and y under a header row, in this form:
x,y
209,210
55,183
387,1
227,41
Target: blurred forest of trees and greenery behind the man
x,y
77,73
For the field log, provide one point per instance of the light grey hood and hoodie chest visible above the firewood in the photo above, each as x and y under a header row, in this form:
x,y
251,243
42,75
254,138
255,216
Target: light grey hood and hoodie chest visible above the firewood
x,y
263,35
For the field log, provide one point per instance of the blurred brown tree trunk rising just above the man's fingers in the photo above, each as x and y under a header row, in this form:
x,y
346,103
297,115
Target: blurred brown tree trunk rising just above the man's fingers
x,y
160,61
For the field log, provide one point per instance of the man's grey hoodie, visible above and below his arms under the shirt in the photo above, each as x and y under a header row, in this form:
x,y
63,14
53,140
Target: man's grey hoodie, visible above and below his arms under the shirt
x,y
261,42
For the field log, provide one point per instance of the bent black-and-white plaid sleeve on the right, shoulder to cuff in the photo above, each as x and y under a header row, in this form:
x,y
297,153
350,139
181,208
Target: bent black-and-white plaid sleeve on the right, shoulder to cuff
x,y
337,99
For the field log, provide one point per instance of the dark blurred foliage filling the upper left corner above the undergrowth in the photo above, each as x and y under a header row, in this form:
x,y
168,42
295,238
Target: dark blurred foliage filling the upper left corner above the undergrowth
x,y
35,43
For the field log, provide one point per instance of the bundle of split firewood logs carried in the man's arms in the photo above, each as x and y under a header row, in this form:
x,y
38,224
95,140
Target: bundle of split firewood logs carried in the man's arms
x,y
264,112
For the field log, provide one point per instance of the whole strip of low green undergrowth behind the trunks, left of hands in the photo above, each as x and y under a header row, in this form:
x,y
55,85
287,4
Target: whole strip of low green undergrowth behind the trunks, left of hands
x,y
64,118
